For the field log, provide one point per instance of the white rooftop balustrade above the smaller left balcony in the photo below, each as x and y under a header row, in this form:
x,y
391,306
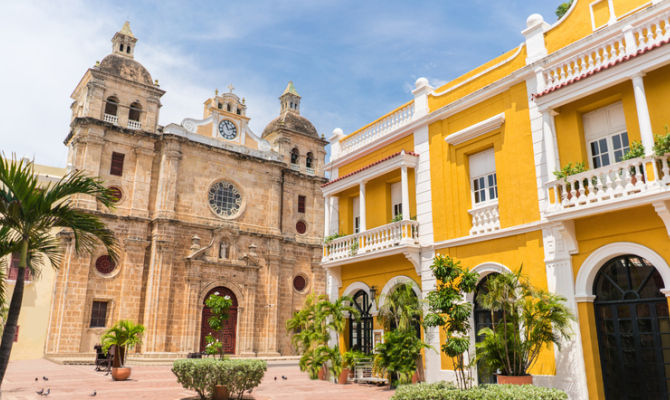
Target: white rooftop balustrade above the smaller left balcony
x,y
391,121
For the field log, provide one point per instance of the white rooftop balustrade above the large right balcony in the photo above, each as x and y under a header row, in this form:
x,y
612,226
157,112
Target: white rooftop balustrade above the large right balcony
x,y
643,35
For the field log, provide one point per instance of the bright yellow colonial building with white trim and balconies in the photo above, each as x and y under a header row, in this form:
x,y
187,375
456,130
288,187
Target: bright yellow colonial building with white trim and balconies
x,y
474,161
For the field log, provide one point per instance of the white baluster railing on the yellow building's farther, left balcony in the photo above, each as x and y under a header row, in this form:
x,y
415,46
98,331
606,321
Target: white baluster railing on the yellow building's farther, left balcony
x,y
380,238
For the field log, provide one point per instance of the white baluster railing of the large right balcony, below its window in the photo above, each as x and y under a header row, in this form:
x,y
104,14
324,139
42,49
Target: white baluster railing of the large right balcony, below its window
x,y
612,184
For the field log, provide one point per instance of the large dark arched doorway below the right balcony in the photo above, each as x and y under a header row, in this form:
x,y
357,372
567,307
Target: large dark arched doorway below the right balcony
x,y
633,329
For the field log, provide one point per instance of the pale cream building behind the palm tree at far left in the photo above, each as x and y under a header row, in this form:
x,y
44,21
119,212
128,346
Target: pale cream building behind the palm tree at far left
x,y
29,343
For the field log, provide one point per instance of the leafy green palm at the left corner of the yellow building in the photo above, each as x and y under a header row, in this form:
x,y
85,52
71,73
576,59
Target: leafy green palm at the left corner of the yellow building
x,y
311,328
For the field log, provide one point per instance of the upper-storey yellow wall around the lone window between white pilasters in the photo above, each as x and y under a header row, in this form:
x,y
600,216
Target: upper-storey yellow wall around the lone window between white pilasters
x,y
450,180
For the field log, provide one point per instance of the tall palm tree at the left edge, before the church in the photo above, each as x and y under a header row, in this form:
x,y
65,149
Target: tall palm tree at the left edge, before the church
x,y
30,216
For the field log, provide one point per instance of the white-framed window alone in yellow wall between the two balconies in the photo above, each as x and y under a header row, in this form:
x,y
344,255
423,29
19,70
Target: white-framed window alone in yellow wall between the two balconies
x,y
483,179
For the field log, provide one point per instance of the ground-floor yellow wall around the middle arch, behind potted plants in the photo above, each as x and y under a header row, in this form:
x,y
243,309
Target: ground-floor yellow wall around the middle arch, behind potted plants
x,y
512,252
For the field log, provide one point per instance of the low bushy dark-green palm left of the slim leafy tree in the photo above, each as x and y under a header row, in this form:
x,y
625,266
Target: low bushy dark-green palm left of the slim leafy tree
x,y
398,355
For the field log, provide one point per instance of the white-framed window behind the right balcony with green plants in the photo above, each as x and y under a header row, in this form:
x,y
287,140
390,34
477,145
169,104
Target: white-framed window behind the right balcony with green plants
x,y
606,135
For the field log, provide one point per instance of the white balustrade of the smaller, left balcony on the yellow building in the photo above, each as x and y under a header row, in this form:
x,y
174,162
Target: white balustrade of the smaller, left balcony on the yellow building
x,y
396,237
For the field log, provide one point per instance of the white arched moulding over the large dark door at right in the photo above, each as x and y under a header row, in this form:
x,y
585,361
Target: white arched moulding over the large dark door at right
x,y
590,267
